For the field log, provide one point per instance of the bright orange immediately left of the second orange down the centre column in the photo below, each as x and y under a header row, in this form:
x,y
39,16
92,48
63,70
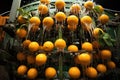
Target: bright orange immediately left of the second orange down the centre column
x,y
48,22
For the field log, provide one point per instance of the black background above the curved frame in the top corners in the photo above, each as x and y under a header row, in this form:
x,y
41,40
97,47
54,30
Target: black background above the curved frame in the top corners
x,y
5,5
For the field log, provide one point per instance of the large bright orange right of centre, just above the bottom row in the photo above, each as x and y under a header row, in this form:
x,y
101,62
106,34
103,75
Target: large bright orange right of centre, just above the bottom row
x,y
84,59
